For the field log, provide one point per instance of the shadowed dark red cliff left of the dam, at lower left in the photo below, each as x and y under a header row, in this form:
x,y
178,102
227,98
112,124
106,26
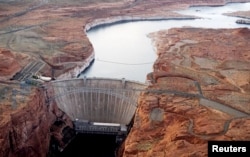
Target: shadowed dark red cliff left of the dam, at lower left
x,y
28,125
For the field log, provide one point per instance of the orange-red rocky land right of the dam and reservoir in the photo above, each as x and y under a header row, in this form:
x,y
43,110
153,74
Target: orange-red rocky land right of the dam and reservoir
x,y
177,123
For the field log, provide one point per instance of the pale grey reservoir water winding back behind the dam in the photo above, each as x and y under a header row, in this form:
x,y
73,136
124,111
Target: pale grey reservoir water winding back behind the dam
x,y
124,51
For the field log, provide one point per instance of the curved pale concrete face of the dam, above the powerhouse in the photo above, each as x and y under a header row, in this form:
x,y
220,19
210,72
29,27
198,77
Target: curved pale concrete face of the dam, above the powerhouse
x,y
101,100
